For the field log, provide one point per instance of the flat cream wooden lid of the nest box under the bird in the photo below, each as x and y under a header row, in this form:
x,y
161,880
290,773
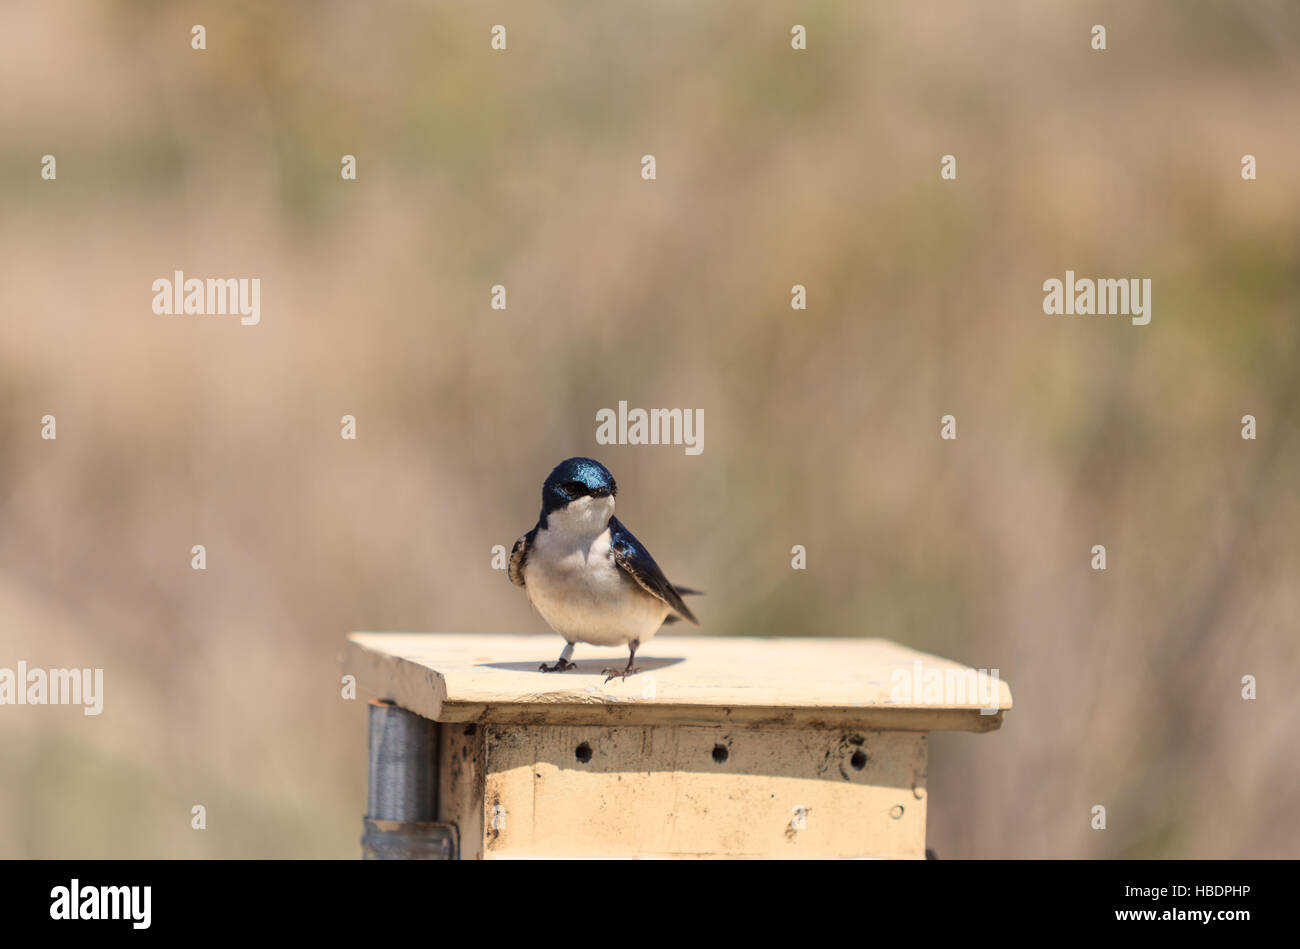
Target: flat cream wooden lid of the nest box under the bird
x,y
686,681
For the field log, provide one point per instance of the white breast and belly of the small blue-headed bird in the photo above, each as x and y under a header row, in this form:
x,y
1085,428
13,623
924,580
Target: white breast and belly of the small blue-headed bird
x,y
574,583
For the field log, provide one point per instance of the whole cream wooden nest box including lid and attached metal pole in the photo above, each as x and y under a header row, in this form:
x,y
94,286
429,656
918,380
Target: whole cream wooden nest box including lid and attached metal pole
x,y
721,747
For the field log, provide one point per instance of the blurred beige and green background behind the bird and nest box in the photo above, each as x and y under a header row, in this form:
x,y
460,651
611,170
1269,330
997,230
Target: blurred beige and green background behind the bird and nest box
x,y
822,427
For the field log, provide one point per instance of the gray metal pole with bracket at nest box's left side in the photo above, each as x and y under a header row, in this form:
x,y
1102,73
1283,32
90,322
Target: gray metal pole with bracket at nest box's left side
x,y
404,790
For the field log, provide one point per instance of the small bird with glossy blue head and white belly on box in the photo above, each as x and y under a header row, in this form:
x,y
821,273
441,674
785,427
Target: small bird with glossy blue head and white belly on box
x,y
587,575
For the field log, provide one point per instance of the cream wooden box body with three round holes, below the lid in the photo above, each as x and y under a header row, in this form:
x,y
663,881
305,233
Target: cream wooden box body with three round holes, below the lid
x,y
684,791
